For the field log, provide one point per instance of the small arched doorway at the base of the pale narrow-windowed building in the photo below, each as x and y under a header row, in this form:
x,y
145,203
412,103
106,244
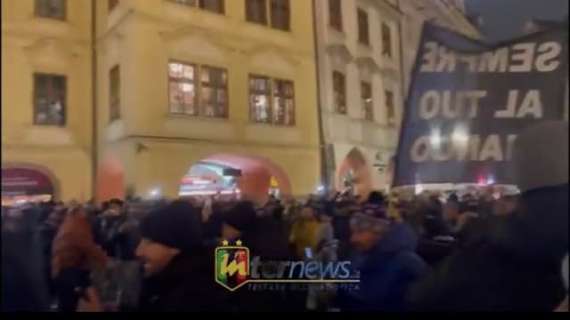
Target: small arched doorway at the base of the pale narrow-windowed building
x,y
354,174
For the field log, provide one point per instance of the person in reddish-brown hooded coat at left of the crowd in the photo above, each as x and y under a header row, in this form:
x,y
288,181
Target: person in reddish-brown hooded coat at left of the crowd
x,y
74,257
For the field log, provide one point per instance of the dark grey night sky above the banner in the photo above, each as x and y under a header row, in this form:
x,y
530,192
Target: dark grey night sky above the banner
x,y
504,19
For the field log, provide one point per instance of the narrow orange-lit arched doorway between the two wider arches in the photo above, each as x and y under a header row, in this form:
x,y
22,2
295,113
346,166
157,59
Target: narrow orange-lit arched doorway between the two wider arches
x,y
110,180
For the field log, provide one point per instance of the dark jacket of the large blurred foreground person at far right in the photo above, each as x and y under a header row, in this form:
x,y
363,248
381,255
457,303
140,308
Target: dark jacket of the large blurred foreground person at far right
x,y
513,265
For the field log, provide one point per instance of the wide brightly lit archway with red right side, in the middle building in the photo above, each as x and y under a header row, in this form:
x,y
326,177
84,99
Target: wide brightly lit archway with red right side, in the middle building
x,y
251,177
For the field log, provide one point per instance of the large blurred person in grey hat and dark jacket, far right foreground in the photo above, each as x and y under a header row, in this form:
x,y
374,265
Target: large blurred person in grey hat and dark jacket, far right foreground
x,y
515,265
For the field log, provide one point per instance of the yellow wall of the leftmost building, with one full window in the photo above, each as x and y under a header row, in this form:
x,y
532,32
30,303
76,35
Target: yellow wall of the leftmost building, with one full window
x,y
31,44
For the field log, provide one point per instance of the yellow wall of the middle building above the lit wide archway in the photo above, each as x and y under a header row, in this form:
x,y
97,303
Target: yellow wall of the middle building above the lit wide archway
x,y
142,36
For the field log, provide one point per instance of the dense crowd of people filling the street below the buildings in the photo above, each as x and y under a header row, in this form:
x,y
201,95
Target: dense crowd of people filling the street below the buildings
x,y
468,252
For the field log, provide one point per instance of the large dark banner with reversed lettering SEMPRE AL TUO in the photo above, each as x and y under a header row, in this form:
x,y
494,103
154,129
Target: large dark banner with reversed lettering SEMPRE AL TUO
x,y
468,102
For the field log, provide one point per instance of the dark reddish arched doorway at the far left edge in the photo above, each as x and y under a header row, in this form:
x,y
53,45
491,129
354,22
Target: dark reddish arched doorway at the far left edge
x,y
27,183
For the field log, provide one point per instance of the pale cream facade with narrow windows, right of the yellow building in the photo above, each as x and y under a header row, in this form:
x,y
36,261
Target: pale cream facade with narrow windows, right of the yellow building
x,y
341,51
